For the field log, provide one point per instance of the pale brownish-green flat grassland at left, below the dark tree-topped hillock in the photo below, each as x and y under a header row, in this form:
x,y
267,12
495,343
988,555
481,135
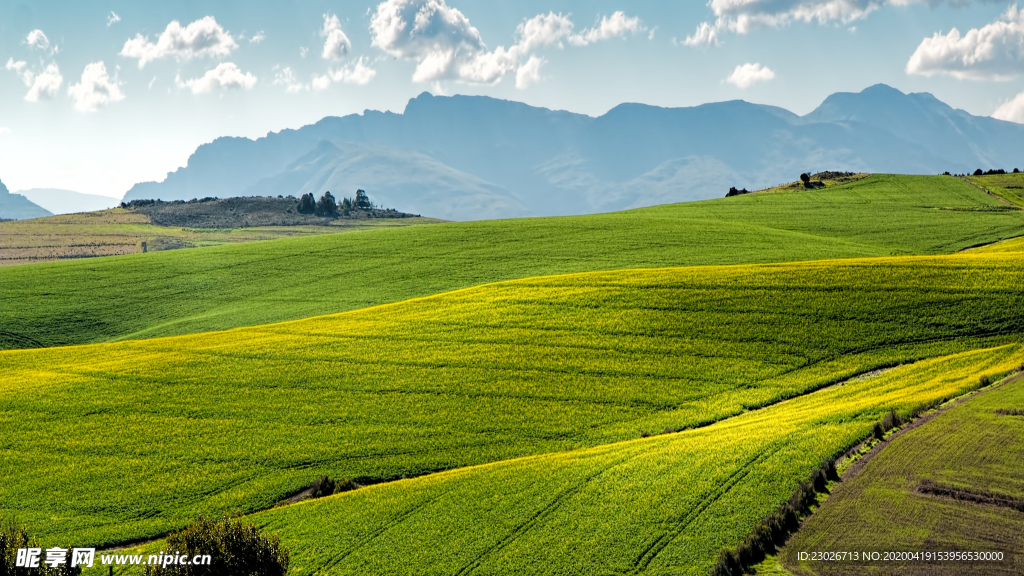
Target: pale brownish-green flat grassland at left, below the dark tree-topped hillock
x,y
121,232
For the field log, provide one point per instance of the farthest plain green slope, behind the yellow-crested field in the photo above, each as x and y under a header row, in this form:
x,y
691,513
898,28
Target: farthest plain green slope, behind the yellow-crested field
x,y
191,292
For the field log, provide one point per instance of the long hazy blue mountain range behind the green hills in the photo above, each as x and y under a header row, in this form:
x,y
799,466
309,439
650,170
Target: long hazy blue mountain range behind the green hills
x,y
476,157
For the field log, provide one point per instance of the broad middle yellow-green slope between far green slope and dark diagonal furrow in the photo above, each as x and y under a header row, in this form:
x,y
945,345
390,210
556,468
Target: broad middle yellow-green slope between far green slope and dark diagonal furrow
x,y
236,421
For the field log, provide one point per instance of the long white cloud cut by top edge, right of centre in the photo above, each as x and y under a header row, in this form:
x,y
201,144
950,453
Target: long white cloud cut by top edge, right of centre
x,y
742,17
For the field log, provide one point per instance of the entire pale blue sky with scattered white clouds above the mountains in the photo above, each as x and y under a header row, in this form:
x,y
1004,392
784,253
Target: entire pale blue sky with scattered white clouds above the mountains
x,y
96,97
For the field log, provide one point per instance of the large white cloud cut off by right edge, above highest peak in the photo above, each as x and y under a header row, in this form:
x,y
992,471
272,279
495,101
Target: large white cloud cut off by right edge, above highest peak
x,y
995,52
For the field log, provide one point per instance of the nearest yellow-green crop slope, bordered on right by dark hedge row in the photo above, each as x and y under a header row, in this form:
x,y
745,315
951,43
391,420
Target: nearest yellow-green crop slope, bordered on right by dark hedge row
x,y
660,506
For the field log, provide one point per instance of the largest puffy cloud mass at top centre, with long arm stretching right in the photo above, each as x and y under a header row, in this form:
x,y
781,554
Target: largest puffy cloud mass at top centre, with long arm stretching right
x,y
446,47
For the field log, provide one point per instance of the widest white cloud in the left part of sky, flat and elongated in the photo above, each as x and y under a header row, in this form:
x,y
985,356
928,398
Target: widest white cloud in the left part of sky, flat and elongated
x,y
202,38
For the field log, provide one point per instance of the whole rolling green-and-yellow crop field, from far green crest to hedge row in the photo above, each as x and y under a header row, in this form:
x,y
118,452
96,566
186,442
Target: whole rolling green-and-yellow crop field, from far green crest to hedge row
x,y
638,412
